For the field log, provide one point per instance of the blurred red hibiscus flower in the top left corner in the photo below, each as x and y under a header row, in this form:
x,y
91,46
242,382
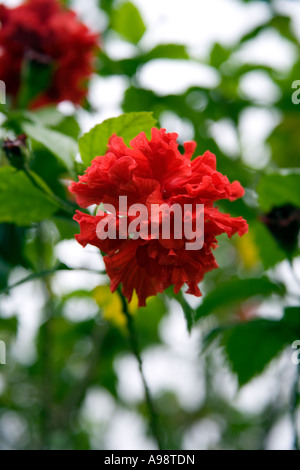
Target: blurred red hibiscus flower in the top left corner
x,y
44,32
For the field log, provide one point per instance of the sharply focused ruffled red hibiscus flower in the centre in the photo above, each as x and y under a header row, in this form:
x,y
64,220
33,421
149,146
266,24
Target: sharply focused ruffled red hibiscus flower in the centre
x,y
155,172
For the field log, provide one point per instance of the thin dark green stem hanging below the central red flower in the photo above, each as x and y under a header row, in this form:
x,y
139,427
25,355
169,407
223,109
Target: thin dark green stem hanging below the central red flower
x,y
136,351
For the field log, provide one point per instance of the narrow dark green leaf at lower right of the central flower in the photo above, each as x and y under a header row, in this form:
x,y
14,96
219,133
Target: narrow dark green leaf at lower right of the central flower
x,y
234,291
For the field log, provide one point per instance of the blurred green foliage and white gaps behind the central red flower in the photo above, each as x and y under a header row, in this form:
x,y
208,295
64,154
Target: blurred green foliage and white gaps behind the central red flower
x,y
70,381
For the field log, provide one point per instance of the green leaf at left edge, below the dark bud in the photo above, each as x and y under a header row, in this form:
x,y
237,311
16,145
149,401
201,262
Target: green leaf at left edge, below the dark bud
x,y
20,201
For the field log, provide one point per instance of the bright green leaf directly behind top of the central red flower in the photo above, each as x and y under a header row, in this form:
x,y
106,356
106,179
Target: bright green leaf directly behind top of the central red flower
x,y
94,142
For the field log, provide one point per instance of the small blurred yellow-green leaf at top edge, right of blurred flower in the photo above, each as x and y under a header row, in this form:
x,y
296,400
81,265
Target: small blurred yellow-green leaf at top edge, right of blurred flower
x,y
127,21
